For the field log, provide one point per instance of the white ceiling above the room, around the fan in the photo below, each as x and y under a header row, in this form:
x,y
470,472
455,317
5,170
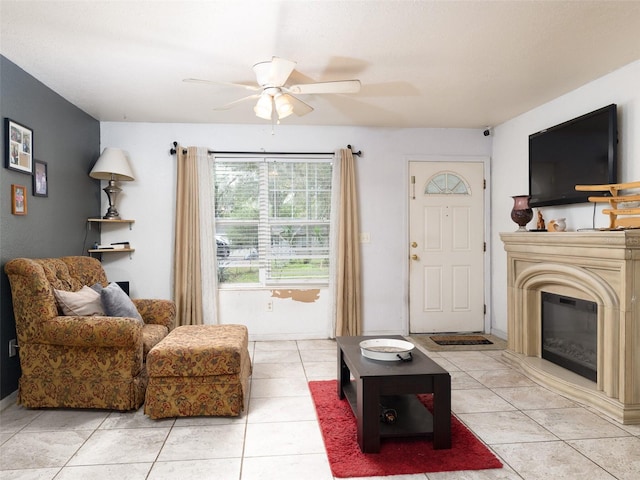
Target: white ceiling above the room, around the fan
x,y
421,63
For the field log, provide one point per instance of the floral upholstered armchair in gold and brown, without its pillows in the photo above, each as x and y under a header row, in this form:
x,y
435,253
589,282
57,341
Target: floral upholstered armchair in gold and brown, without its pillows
x,y
80,361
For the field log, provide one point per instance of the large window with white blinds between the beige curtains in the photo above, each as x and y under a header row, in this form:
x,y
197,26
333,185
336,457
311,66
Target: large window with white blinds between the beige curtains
x,y
272,220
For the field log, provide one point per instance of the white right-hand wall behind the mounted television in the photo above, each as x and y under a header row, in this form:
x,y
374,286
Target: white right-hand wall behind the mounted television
x,y
510,164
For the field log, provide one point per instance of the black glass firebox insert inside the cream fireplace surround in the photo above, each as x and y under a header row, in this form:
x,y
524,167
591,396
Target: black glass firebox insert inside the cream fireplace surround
x,y
569,333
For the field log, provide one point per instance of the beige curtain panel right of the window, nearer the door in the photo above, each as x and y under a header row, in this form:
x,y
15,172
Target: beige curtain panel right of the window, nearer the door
x,y
348,289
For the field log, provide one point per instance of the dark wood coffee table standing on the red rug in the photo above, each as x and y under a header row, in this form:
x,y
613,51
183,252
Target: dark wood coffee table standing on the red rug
x,y
379,385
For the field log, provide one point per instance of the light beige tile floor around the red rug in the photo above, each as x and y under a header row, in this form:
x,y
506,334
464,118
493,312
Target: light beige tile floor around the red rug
x,y
536,433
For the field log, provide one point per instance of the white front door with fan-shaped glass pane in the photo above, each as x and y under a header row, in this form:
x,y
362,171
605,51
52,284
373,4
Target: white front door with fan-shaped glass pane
x,y
446,235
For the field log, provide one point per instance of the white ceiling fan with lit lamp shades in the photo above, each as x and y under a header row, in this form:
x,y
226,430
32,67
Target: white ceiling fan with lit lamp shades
x,y
274,96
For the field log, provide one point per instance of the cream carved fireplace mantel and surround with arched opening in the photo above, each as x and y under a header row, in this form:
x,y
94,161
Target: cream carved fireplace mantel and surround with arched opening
x,y
599,266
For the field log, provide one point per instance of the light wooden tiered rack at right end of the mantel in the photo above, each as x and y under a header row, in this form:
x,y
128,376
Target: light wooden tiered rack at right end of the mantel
x,y
620,204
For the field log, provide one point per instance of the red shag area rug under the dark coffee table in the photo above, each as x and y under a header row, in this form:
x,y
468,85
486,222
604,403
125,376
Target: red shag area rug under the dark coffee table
x,y
396,456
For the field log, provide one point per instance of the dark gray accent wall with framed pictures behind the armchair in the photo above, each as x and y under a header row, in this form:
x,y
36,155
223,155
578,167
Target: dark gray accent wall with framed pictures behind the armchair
x,y
68,139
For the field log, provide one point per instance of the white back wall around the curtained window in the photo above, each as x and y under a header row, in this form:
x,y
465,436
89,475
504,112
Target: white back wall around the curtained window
x,y
383,193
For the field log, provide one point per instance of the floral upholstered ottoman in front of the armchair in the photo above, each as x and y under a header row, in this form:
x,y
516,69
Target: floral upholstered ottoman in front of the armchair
x,y
199,370
